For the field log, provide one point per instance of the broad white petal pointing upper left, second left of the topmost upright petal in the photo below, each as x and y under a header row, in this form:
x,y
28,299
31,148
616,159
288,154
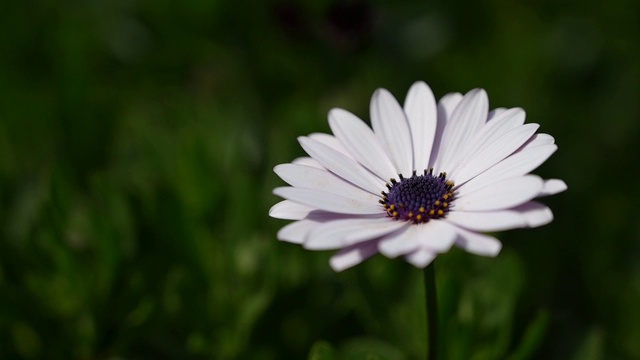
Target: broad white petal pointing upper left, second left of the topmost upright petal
x,y
361,142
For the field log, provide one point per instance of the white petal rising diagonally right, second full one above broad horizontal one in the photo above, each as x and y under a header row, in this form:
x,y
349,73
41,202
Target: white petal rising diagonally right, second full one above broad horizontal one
x,y
494,152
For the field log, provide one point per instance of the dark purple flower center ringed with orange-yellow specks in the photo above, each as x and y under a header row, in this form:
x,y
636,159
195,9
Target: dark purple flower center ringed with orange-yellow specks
x,y
419,198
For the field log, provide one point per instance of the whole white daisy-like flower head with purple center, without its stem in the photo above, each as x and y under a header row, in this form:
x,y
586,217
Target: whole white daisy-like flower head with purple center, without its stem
x,y
423,178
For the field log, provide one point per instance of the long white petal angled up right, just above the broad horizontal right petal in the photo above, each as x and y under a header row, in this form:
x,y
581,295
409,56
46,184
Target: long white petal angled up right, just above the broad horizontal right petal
x,y
518,164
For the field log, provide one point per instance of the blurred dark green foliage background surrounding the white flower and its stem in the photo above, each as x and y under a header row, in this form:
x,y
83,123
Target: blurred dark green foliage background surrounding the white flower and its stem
x,y
137,141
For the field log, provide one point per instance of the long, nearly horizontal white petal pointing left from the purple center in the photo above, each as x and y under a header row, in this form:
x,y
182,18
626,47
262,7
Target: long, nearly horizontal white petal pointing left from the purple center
x,y
328,202
